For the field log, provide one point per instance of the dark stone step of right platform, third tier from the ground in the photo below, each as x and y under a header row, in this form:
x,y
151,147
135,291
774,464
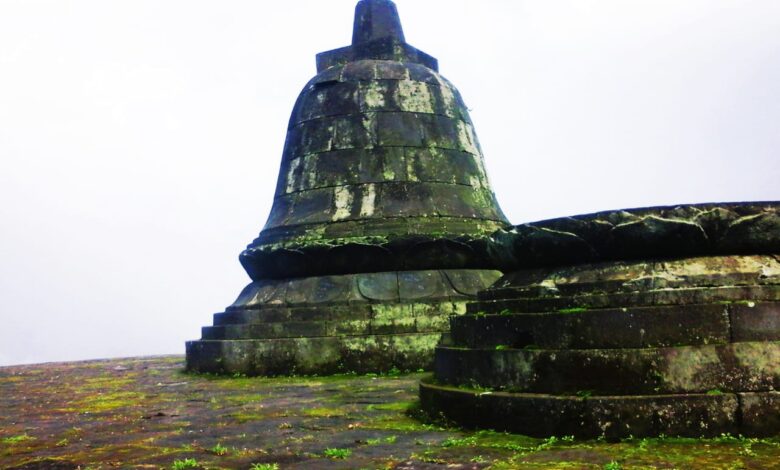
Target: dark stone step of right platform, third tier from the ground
x,y
629,327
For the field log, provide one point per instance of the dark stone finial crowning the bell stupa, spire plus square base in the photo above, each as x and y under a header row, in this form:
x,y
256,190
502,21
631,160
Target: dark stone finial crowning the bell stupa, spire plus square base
x,y
377,35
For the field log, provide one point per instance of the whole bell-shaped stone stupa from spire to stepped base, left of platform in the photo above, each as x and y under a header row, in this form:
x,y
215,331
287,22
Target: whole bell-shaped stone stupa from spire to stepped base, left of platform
x,y
379,225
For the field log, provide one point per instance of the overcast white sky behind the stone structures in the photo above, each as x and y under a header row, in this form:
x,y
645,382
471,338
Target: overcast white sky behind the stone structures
x,y
140,139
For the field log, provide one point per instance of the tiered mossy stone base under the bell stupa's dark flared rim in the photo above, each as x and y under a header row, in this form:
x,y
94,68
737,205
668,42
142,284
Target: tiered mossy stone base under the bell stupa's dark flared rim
x,y
328,324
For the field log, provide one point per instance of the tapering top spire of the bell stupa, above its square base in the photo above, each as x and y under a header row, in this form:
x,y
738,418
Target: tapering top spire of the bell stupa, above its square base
x,y
376,19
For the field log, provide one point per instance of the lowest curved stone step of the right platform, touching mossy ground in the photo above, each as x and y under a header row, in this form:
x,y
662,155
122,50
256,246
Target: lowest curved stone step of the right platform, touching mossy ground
x,y
614,417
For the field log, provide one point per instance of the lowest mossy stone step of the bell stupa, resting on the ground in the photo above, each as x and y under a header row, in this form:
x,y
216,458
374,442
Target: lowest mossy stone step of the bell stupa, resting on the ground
x,y
306,356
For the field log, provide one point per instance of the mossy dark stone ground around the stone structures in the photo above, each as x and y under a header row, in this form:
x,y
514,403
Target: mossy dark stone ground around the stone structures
x,y
148,413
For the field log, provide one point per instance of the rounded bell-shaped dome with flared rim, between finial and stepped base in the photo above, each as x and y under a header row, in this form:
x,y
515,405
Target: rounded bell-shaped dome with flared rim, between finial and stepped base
x,y
378,153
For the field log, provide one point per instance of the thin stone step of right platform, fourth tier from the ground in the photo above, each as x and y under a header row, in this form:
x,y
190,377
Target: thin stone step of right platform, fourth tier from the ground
x,y
508,300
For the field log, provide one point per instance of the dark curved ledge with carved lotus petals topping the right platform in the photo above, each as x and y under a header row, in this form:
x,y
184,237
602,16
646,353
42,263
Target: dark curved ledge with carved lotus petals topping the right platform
x,y
647,233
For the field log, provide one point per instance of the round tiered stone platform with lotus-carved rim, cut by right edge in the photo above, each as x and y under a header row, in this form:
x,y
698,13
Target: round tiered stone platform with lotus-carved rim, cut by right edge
x,y
644,345
